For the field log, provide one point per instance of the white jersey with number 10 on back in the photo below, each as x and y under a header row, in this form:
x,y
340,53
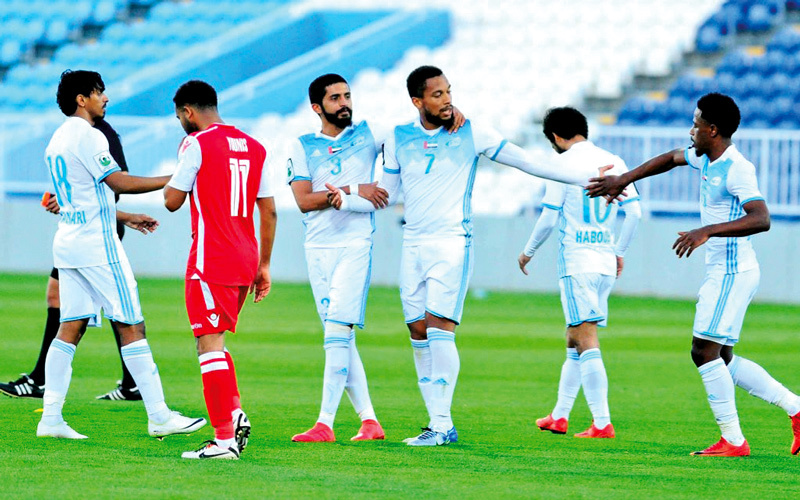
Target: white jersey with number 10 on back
x,y
586,225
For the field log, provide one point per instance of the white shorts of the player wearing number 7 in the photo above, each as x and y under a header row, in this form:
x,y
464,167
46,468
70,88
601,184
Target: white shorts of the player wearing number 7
x,y
434,277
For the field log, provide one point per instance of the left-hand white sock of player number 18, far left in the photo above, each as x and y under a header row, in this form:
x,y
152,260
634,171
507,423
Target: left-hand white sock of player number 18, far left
x,y
57,375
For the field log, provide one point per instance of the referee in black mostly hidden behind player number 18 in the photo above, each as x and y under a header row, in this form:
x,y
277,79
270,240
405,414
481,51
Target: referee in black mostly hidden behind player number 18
x,y
32,385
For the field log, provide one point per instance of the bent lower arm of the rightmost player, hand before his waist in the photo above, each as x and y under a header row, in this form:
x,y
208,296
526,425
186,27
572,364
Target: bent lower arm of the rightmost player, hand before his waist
x,y
756,220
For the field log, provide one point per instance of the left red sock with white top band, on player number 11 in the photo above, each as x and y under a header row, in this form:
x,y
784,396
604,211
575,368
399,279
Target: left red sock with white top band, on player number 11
x,y
216,389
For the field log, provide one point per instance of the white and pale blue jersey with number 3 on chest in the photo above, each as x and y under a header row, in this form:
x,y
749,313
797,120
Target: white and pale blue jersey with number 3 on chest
x,y
348,158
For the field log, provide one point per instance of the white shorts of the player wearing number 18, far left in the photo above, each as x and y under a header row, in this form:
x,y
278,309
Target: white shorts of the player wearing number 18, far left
x,y
84,291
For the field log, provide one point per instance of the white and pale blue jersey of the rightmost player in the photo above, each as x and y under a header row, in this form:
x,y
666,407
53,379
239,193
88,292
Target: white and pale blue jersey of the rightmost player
x,y
726,184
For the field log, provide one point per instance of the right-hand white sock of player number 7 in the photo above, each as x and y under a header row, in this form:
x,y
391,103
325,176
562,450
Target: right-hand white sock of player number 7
x,y
445,365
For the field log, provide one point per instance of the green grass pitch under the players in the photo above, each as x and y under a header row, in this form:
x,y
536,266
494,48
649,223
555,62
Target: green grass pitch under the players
x,y
511,348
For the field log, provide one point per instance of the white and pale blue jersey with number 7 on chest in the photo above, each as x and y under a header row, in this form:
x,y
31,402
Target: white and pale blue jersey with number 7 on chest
x,y
436,170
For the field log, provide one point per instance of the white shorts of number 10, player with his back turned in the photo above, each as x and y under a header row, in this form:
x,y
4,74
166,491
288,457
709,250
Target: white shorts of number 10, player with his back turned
x,y
584,298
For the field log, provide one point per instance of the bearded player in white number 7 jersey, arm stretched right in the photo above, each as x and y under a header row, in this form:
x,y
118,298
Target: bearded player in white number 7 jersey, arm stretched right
x,y
436,171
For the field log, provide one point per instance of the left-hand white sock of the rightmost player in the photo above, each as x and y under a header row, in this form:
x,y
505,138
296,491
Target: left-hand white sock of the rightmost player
x,y
722,398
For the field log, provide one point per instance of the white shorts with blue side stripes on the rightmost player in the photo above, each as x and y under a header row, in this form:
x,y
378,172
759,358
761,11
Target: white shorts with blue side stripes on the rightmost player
x,y
721,304
